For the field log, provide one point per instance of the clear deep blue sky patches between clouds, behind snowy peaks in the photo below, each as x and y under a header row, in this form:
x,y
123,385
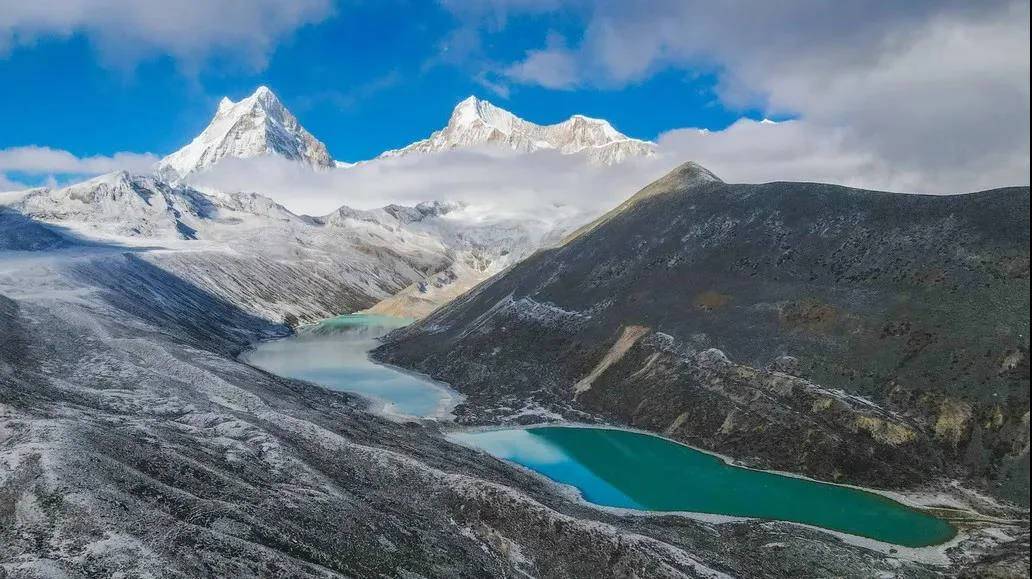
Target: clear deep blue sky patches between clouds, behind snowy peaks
x,y
363,83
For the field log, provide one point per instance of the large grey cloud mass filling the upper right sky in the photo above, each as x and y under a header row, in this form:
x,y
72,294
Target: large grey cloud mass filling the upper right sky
x,y
929,88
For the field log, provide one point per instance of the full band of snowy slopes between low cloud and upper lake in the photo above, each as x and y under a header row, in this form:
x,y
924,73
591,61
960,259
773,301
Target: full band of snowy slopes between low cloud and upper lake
x,y
249,249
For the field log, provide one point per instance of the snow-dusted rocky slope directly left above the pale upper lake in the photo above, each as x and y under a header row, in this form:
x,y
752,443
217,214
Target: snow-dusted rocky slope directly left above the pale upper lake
x,y
245,247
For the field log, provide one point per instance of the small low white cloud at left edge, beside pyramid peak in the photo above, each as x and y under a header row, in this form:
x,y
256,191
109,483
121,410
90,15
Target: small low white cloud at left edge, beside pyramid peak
x,y
46,162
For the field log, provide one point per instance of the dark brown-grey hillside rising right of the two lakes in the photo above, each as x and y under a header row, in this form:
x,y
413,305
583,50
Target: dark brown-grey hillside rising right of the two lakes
x,y
853,336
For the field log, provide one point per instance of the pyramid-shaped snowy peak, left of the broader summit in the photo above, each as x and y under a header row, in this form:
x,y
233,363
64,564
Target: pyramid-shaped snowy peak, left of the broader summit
x,y
256,126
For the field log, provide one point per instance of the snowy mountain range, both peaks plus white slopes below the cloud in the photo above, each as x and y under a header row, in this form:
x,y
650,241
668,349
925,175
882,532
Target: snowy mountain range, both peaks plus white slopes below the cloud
x,y
466,247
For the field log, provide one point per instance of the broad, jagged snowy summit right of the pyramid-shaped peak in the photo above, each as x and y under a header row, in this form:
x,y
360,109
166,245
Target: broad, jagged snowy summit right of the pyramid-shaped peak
x,y
475,122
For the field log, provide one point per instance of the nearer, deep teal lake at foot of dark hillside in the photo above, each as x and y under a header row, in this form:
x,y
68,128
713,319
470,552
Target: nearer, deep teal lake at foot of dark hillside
x,y
637,471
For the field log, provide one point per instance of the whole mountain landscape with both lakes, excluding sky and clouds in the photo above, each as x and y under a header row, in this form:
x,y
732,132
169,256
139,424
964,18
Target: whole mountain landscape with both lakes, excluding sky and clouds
x,y
711,380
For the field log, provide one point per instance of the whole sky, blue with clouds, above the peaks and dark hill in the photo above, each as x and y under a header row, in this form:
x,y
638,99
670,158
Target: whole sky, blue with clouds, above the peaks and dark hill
x,y
925,95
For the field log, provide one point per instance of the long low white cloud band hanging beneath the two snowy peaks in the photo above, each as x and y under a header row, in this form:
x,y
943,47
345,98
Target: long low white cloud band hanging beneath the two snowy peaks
x,y
510,185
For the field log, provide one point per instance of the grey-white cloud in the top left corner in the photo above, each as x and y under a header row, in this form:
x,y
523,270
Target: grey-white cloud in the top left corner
x,y
192,30
